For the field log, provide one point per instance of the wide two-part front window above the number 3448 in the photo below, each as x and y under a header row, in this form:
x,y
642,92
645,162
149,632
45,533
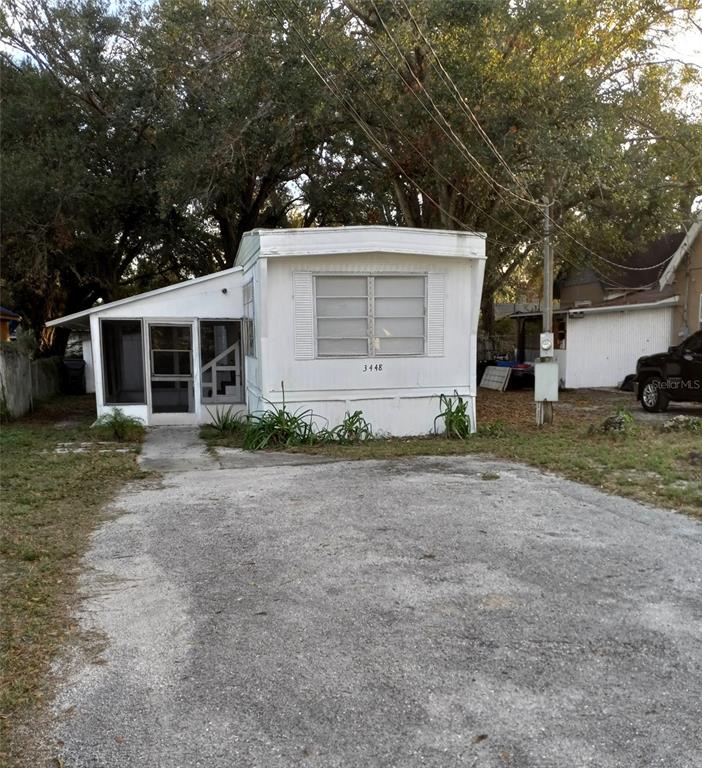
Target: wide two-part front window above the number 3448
x,y
359,316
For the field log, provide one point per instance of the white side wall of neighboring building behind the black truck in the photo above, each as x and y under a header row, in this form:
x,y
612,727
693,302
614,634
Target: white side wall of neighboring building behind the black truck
x,y
603,347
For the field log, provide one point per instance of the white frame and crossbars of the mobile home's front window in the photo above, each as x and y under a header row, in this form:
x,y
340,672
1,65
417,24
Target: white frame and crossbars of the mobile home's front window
x,y
370,297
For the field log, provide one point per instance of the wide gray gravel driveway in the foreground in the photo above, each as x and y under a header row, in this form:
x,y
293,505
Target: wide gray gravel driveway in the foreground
x,y
428,612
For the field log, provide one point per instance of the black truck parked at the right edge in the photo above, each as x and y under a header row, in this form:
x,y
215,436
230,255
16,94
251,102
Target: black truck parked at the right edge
x,y
672,375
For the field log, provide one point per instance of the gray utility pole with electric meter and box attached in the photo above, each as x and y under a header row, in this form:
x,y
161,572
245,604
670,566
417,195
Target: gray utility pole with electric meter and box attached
x,y
546,369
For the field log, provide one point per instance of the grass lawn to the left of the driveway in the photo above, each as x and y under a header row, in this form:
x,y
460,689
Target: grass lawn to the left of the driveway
x,y
50,503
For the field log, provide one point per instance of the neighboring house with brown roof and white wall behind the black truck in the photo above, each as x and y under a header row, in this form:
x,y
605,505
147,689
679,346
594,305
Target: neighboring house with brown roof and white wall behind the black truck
x,y
603,324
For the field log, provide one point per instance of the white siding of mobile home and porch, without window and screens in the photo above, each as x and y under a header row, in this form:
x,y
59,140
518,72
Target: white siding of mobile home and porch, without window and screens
x,y
398,394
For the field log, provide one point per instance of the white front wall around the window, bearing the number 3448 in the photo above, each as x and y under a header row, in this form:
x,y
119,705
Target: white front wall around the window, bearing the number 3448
x,y
402,399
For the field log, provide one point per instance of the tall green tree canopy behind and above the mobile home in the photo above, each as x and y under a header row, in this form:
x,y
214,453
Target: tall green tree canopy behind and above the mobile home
x,y
141,142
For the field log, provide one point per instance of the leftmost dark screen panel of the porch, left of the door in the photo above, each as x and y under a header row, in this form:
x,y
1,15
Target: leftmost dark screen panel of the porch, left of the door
x,y
123,362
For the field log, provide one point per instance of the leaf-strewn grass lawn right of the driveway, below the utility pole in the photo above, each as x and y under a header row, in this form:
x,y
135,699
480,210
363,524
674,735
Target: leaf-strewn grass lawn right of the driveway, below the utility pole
x,y
647,464
